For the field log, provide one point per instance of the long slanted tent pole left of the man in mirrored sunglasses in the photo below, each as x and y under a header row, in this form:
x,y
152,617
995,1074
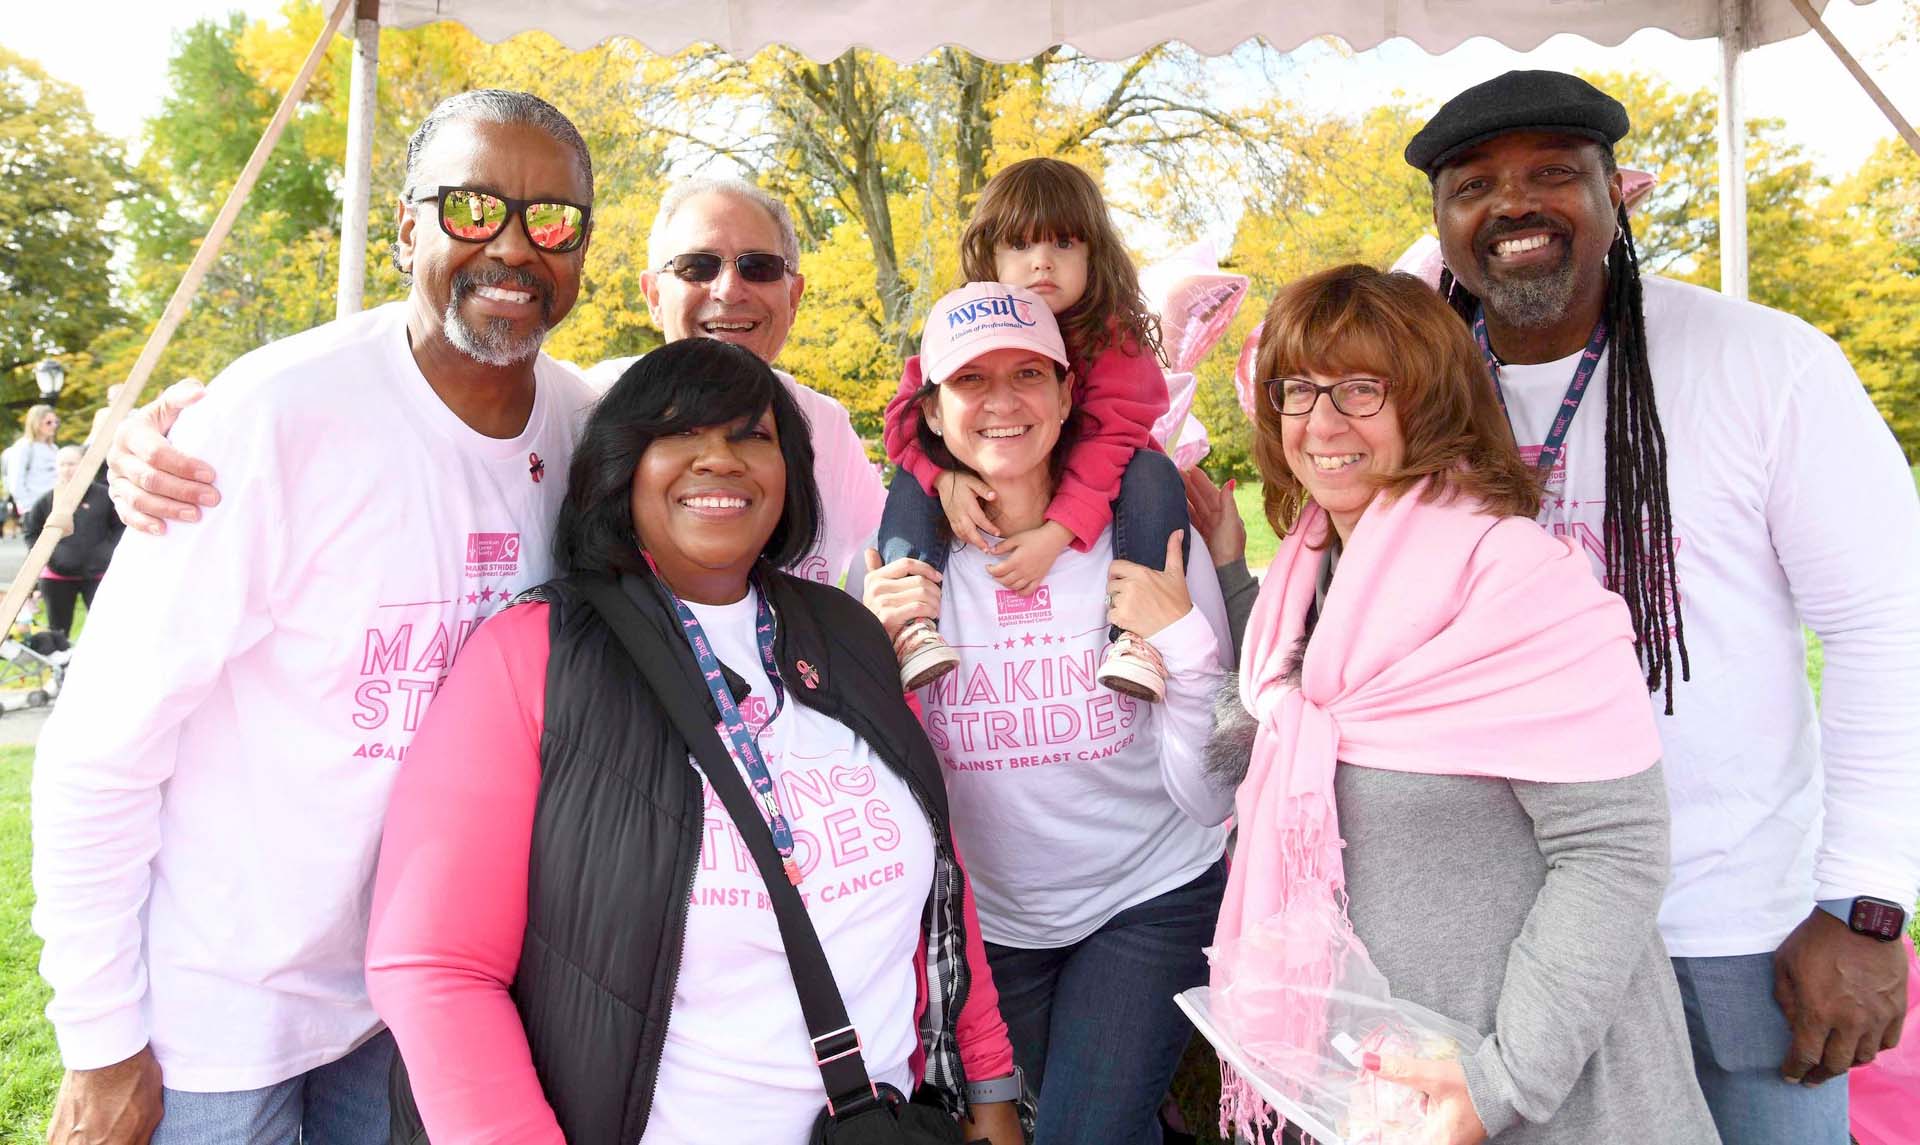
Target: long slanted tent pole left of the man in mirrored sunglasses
x,y
60,522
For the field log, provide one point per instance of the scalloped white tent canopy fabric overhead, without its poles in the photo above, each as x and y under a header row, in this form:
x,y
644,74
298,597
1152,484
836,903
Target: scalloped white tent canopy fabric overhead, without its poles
x,y
1109,30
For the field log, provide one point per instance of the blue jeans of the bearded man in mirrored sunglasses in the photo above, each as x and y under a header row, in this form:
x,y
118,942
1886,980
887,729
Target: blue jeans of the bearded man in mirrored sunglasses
x,y
339,1104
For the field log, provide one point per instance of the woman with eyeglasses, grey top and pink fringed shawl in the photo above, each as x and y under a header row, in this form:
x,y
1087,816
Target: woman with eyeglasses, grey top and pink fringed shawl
x,y
1445,744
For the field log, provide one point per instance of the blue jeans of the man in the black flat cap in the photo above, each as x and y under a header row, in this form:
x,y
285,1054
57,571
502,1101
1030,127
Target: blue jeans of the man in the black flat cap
x,y
1740,1038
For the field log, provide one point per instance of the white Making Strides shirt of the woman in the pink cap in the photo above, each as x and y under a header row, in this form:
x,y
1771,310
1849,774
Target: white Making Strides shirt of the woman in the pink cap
x,y
1072,802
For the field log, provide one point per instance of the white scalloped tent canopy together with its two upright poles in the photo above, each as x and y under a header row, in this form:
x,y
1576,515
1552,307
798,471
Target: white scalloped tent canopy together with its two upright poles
x,y
1107,30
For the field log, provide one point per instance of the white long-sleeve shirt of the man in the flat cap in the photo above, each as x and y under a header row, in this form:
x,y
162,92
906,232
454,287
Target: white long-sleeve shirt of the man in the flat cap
x,y
1792,504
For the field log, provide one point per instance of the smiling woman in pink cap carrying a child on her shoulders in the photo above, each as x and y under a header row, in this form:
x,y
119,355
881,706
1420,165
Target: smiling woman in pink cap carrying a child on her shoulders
x,y
1082,812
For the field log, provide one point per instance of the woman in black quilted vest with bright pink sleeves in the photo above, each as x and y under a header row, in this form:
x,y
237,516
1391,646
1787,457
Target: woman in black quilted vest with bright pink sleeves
x,y
573,938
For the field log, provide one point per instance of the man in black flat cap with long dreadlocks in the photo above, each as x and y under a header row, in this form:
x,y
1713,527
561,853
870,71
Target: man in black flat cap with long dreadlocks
x,y
1733,481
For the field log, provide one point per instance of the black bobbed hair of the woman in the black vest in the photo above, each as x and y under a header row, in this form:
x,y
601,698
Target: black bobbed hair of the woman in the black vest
x,y
681,387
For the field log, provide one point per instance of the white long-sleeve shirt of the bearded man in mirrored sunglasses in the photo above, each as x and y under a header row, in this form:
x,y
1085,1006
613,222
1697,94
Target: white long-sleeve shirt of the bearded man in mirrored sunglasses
x,y
210,792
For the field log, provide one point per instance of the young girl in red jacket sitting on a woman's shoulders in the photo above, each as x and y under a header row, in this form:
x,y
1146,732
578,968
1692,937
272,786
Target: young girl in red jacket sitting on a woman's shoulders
x,y
1044,226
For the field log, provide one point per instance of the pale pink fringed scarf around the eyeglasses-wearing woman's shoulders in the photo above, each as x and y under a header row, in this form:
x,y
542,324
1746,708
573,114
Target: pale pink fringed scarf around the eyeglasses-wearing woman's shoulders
x,y
1451,643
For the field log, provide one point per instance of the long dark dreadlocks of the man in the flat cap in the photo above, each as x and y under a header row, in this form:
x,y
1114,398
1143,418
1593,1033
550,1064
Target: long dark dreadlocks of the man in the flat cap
x,y
1639,524
